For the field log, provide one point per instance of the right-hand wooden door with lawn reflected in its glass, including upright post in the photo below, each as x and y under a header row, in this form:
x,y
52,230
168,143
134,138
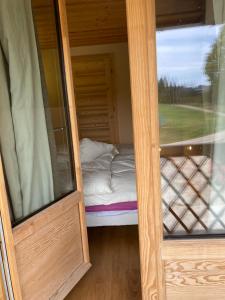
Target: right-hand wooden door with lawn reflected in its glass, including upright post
x,y
180,186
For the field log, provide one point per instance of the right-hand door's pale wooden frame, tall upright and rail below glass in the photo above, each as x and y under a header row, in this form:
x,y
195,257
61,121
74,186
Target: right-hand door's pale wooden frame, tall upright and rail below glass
x,y
155,252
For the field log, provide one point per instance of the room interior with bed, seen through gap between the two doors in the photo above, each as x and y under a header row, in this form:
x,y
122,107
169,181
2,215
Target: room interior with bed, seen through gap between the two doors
x,y
100,63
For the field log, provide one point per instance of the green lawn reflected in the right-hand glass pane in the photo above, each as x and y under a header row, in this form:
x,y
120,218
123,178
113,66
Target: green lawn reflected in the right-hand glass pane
x,y
179,124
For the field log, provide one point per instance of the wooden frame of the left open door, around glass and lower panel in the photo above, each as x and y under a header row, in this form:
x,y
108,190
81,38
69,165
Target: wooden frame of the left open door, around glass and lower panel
x,y
12,235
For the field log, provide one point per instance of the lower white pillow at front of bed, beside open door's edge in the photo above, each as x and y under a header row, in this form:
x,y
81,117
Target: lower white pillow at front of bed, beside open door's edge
x,y
97,182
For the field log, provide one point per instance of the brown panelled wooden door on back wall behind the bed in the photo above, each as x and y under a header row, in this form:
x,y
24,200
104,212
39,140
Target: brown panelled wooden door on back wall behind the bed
x,y
94,90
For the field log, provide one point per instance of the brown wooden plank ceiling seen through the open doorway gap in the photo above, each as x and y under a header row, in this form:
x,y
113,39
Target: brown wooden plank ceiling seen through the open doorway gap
x,y
96,22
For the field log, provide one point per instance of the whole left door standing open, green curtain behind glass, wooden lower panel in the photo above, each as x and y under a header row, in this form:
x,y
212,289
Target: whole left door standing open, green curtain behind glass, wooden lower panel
x,y
41,191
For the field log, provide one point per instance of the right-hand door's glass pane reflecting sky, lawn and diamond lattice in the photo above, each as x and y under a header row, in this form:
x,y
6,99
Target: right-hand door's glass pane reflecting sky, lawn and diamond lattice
x,y
191,77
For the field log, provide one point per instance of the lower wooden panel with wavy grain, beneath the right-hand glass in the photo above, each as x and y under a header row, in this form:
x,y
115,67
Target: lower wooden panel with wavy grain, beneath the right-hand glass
x,y
195,279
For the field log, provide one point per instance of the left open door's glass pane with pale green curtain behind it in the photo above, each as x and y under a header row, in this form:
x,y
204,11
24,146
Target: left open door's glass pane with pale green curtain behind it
x,y
34,121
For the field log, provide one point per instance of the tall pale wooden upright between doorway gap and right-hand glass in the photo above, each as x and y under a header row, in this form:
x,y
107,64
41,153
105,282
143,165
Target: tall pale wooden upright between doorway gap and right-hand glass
x,y
142,52
